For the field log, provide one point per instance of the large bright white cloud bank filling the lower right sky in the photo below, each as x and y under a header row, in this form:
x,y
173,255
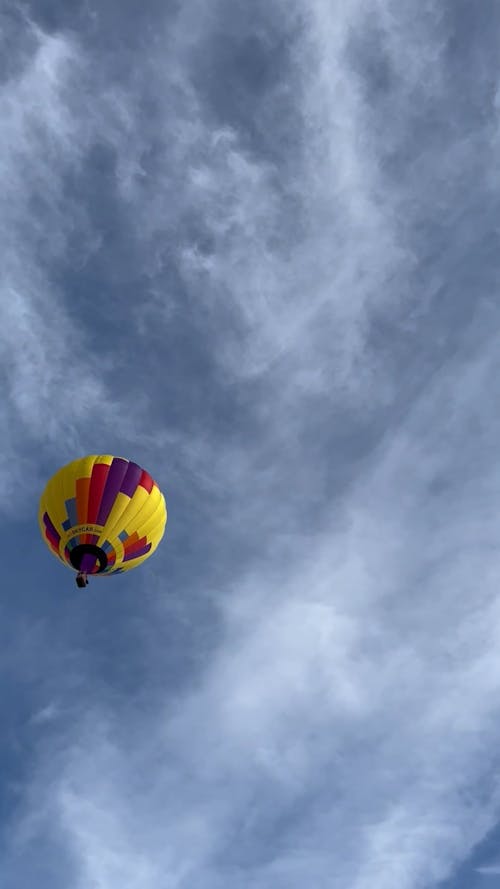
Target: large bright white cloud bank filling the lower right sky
x,y
352,698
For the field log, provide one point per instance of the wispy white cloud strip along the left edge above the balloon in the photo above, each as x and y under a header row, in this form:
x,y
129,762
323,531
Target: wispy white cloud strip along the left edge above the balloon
x,y
42,355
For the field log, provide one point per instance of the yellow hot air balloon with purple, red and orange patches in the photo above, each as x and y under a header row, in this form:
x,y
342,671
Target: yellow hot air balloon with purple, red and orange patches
x,y
102,515
